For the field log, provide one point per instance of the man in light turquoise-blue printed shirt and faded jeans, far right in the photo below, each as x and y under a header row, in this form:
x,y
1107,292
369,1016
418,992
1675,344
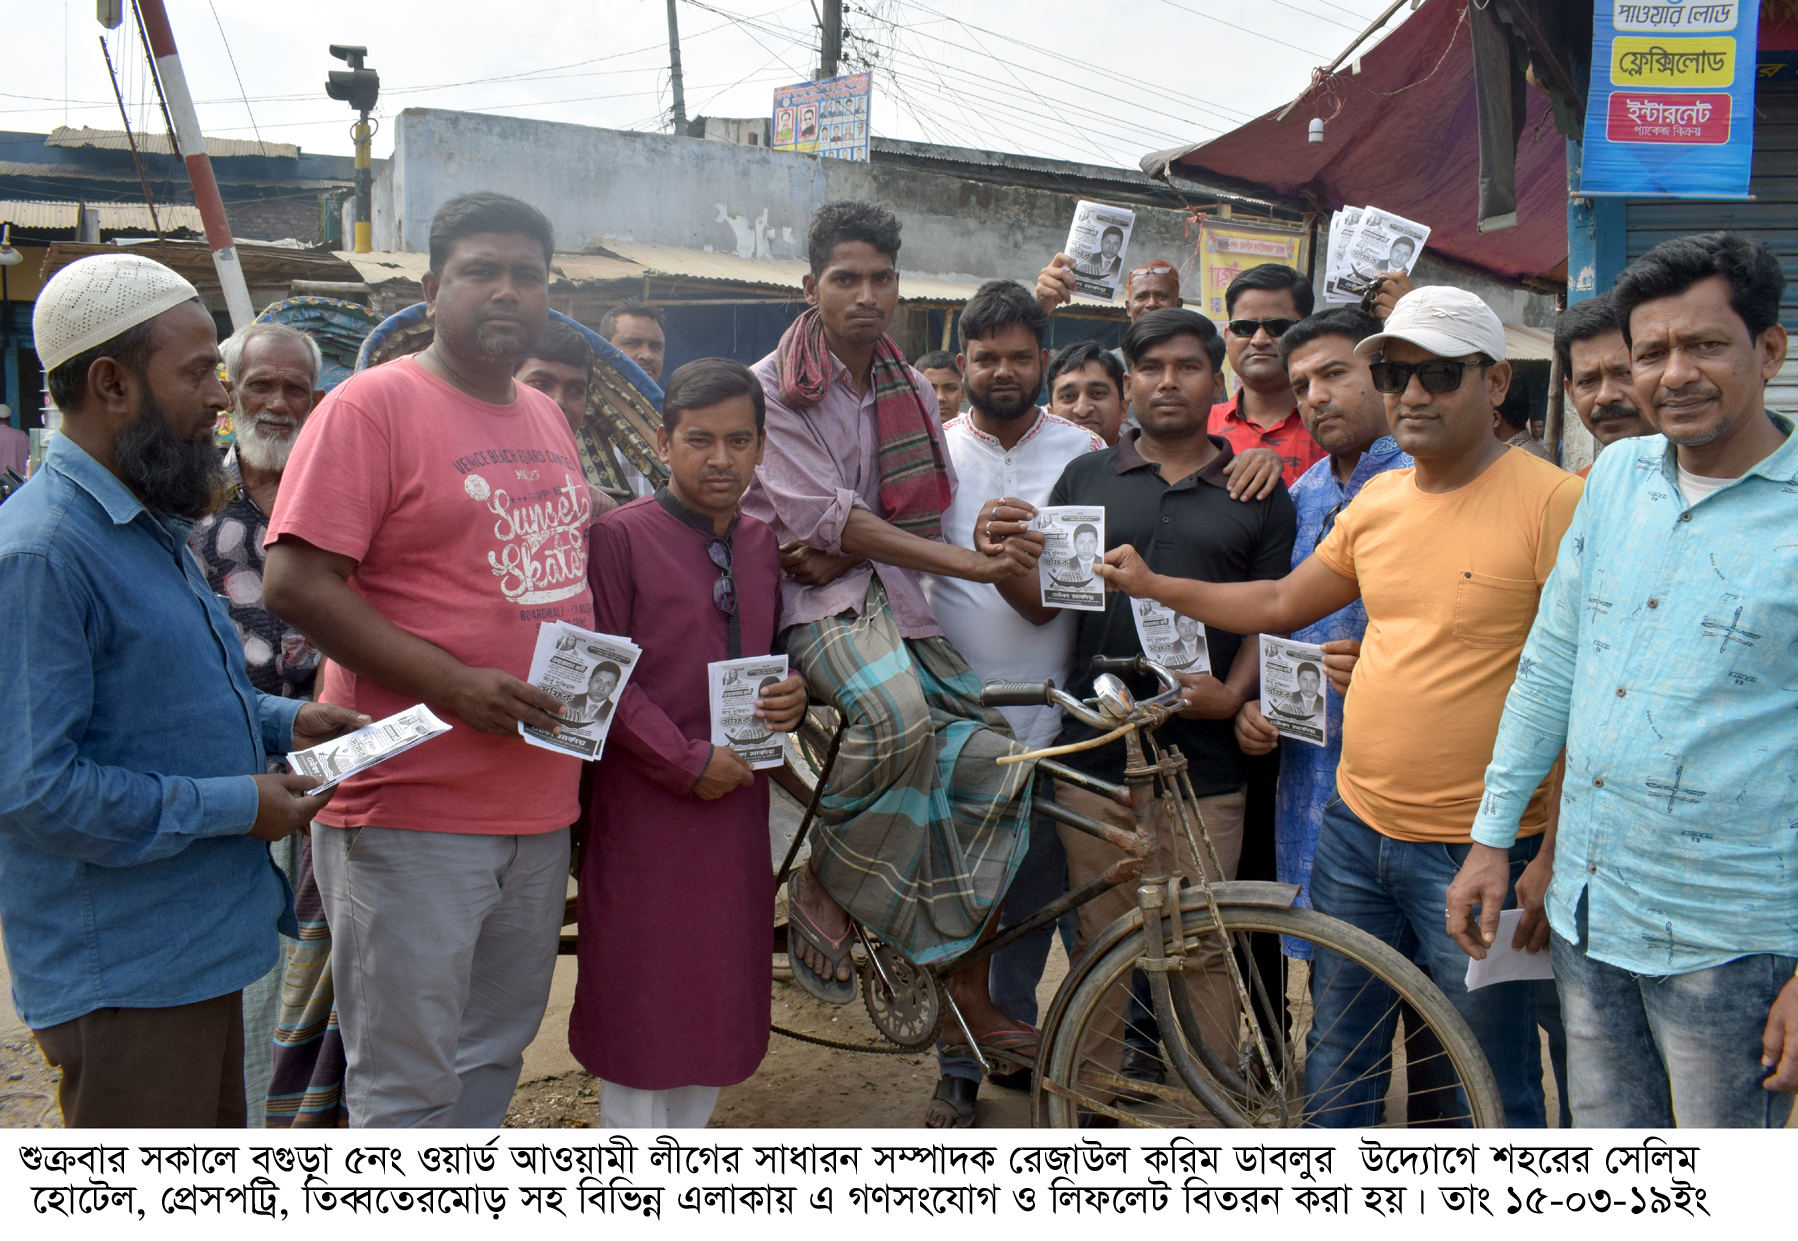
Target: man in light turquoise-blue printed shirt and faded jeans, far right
x,y
1666,661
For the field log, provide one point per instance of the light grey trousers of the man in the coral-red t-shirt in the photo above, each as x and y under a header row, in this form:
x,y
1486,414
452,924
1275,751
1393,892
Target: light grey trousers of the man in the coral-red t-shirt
x,y
441,951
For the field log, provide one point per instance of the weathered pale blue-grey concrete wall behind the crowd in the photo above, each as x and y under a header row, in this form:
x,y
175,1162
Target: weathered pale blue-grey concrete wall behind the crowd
x,y
702,195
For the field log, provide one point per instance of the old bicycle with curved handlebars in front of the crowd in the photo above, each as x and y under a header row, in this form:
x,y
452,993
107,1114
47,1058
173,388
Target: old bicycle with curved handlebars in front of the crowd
x,y
1238,1042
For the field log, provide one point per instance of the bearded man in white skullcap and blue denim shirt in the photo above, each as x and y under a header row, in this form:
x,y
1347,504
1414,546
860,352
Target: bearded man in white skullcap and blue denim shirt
x,y
136,886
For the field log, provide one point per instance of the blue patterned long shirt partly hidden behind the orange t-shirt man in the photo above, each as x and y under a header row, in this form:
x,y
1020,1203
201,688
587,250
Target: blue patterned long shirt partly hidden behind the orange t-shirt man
x,y
1308,772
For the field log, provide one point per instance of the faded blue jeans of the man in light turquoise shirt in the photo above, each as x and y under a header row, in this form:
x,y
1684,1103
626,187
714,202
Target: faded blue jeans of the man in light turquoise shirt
x,y
1653,1051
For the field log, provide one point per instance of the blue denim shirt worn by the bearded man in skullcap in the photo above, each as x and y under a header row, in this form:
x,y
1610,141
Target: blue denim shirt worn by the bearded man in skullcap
x,y
129,738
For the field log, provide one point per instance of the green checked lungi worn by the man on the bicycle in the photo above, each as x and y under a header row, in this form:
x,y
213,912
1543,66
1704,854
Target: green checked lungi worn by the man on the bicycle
x,y
920,830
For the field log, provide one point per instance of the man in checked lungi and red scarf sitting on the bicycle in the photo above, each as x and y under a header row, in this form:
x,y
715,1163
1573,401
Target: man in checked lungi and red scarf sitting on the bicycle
x,y
921,828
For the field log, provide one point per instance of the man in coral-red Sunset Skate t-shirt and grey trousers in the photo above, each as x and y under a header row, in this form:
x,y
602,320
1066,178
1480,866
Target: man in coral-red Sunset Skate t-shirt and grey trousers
x,y
432,517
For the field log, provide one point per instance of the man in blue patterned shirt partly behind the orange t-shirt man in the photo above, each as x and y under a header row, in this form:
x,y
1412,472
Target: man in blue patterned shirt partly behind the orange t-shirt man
x,y
1348,418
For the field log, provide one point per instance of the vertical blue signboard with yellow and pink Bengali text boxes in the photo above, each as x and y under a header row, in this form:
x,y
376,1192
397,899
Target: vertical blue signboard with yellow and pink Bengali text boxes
x,y
1673,98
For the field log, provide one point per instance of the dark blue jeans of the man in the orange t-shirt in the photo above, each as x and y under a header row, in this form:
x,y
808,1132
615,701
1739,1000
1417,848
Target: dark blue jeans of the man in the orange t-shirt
x,y
1396,891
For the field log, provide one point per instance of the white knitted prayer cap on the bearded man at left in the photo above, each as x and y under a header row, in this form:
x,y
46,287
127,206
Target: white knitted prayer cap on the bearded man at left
x,y
100,298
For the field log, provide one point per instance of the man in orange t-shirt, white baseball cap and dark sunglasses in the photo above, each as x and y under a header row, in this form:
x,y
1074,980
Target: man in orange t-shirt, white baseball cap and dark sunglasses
x,y
1450,560
